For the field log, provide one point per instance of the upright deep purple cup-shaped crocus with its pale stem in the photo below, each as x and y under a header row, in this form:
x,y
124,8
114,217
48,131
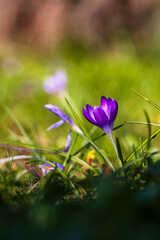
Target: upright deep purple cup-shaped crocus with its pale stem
x,y
104,116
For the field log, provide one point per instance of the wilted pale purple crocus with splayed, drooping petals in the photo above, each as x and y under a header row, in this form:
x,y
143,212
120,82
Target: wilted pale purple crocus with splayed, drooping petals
x,y
64,119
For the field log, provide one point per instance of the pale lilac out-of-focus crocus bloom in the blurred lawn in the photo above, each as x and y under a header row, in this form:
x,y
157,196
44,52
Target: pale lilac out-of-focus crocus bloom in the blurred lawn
x,y
56,83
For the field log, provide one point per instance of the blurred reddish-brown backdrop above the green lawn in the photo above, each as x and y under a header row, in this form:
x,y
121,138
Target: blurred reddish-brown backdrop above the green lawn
x,y
48,23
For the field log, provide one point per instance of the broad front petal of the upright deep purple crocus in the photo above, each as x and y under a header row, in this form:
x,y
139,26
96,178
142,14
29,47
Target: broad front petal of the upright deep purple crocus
x,y
100,116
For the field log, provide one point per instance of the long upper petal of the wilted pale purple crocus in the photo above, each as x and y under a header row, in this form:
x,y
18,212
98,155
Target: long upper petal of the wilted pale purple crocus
x,y
58,112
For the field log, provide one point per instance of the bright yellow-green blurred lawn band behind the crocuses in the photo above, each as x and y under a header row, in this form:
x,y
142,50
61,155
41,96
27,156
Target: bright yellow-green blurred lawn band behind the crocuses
x,y
88,79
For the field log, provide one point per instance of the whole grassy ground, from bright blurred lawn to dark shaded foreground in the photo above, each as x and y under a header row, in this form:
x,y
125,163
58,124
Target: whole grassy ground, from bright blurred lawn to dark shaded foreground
x,y
89,197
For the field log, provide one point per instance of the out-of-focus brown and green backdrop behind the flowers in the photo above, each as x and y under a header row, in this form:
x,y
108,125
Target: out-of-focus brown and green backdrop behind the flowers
x,y
105,48
